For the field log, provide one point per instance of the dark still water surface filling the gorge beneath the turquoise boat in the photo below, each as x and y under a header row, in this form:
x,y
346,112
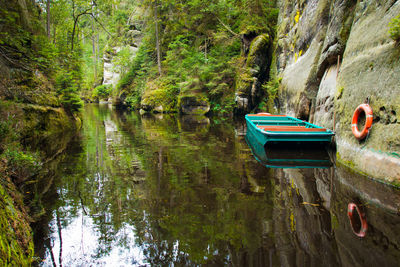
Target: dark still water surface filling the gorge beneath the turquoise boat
x,y
169,191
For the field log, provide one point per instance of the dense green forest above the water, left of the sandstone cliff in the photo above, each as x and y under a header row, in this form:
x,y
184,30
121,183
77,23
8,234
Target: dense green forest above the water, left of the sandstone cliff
x,y
162,51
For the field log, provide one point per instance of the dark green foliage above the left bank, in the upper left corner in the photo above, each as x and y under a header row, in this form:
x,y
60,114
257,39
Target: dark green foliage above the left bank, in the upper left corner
x,y
35,60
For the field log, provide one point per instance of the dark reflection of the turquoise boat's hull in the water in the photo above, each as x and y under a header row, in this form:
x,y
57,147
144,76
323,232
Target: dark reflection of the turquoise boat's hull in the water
x,y
289,154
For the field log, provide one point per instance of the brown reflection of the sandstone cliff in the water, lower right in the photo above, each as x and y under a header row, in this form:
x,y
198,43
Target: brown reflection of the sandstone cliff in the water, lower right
x,y
311,225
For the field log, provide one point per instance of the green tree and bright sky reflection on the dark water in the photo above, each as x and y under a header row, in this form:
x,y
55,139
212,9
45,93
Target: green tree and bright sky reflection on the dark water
x,y
137,190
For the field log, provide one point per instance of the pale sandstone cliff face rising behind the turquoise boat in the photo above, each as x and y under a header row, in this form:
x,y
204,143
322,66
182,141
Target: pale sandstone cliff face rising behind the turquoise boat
x,y
332,56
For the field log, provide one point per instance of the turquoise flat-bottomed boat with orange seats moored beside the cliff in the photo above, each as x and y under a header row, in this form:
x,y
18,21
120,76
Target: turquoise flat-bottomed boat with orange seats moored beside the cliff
x,y
281,128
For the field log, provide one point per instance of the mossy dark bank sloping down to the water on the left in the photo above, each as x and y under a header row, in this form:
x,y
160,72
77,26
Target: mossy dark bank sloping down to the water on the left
x,y
31,136
